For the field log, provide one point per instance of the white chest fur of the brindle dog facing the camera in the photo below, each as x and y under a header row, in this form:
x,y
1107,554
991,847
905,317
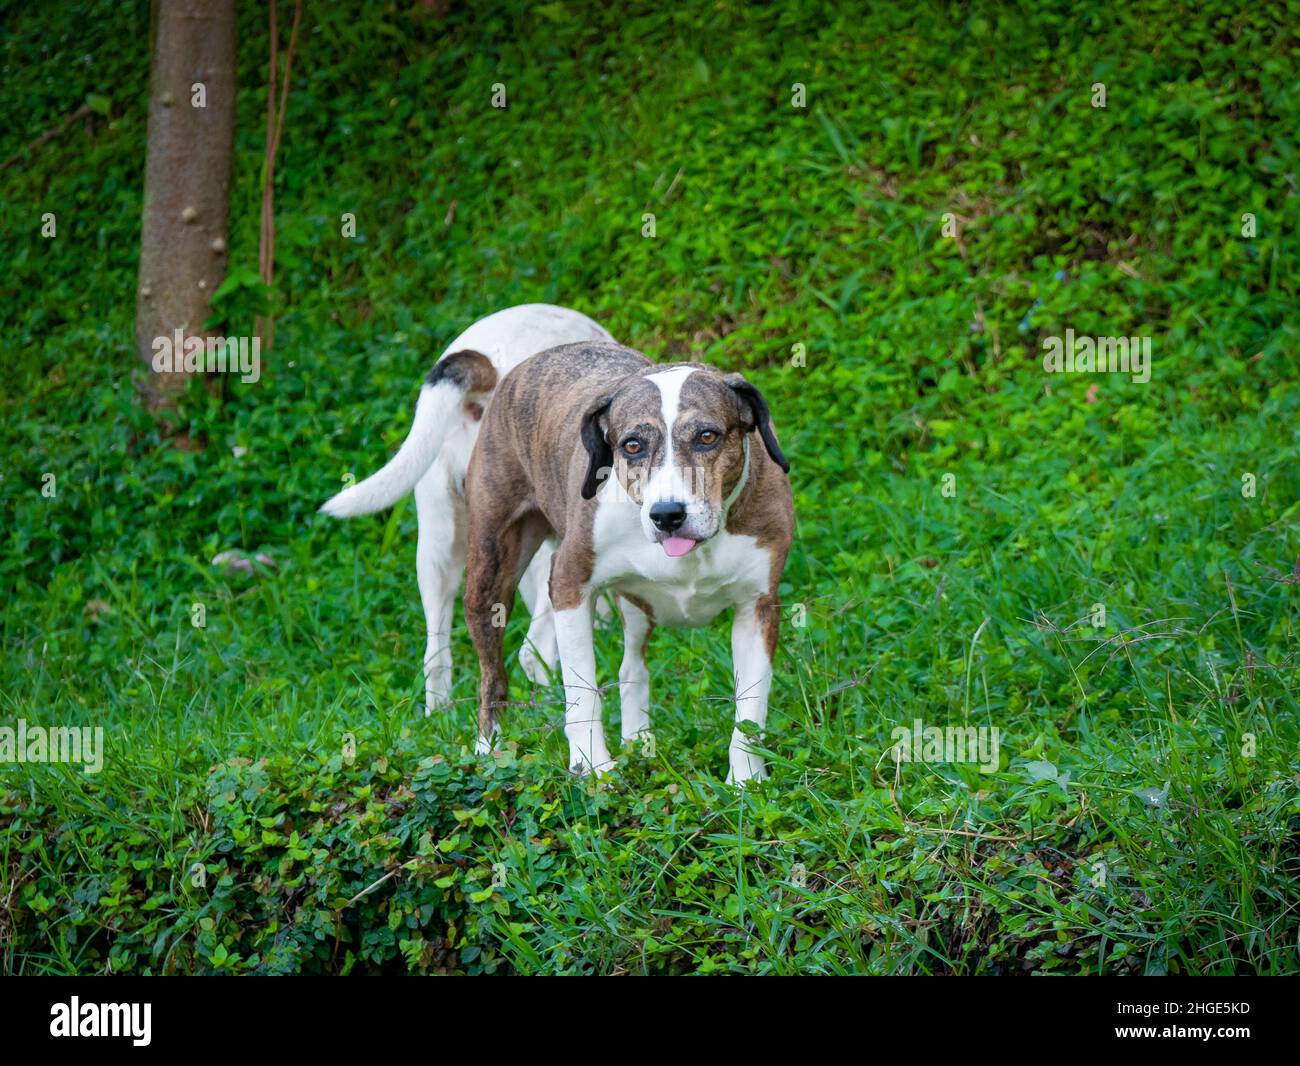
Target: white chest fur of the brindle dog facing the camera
x,y
694,590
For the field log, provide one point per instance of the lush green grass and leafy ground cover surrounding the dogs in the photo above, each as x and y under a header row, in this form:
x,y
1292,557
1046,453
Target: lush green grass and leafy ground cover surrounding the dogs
x,y
1160,749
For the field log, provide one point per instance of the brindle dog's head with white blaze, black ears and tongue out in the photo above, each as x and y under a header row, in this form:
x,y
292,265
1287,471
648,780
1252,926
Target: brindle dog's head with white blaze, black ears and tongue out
x,y
678,443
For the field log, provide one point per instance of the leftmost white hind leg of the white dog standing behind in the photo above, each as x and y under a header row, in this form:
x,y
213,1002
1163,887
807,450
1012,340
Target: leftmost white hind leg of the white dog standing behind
x,y
440,560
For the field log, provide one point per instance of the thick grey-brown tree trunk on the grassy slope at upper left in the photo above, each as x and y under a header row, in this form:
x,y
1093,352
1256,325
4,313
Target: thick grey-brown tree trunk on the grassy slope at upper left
x,y
187,183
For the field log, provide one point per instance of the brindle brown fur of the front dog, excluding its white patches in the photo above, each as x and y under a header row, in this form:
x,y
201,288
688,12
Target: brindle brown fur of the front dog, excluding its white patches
x,y
528,471
